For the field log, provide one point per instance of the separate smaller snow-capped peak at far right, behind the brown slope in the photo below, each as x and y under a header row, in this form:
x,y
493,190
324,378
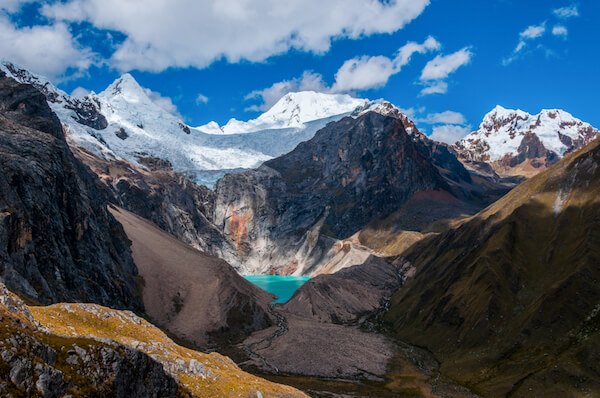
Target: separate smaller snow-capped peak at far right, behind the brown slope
x,y
516,142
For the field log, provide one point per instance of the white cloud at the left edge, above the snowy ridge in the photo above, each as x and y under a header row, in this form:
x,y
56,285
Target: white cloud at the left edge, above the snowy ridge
x,y
48,50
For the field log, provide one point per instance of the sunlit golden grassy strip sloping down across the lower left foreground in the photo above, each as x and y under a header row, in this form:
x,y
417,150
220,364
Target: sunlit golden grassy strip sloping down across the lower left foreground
x,y
223,377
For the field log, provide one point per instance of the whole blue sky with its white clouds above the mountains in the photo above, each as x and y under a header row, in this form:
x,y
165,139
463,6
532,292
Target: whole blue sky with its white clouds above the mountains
x,y
524,54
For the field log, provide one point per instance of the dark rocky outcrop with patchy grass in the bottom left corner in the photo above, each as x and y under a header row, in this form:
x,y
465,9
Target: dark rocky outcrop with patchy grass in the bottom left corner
x,y
34,363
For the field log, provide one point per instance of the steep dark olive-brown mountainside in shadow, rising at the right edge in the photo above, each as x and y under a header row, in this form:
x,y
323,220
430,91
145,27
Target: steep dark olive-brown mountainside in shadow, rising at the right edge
x,y
508,301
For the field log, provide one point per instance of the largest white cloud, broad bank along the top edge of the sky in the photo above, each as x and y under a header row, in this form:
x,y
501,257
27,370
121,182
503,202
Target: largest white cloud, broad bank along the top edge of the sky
x,y
162,34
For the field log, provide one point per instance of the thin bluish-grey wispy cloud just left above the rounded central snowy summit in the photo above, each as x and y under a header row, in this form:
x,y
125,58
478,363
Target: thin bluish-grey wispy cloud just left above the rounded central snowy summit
x,y
270,95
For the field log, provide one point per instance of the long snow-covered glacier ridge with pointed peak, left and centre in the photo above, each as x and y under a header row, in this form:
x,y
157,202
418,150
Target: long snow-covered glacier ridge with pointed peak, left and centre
x,y
122,122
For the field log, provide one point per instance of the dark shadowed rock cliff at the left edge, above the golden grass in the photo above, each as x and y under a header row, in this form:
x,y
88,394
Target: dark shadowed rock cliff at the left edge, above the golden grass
x,y
57,240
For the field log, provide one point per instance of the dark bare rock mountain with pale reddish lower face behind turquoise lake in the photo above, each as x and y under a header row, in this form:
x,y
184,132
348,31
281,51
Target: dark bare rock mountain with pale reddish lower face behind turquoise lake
x,y
284,217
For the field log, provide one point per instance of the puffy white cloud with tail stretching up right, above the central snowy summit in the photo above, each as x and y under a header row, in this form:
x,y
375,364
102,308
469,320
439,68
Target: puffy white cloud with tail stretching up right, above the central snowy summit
x,y
367,72
